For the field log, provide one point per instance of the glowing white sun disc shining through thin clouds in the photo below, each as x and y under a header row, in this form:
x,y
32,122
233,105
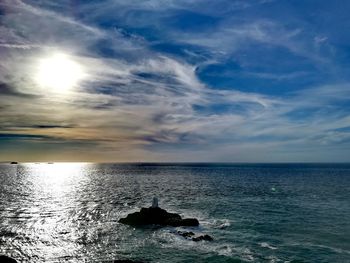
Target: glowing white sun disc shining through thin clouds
x,y
59,72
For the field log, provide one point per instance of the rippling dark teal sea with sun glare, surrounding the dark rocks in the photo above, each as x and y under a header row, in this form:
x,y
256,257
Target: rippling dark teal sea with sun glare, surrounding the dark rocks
x,y
255,213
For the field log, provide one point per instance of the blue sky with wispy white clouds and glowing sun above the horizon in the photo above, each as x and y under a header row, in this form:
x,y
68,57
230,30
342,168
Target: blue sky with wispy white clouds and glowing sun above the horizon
x,y
175,81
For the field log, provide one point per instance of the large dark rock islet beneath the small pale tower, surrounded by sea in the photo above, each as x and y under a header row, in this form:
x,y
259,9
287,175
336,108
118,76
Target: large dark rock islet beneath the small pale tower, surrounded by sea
x,y
157,216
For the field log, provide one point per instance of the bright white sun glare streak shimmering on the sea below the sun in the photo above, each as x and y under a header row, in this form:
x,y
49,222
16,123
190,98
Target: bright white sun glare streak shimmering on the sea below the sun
x,y
49,210
